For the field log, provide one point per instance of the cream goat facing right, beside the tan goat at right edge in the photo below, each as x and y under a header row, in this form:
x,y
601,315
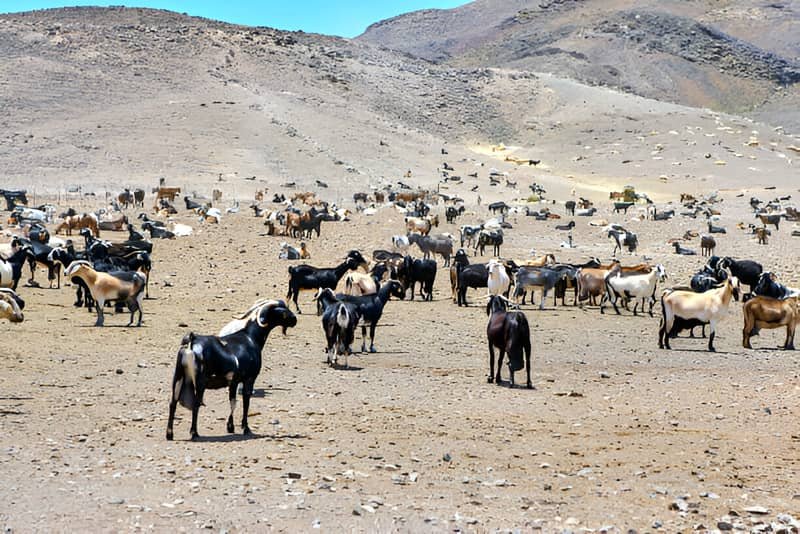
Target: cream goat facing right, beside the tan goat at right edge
x,y
709,307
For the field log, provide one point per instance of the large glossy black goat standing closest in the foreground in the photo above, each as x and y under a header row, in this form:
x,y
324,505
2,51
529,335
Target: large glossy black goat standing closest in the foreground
x,y
211,362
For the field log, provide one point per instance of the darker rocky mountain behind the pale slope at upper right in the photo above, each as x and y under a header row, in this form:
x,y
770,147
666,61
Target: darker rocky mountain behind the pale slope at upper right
x,y
731,56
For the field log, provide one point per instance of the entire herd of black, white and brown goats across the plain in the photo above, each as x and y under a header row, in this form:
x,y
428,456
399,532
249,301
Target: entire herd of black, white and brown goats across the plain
x,y
355,292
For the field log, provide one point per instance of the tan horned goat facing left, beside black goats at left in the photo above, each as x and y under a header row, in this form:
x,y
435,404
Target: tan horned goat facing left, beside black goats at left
x,y
106,287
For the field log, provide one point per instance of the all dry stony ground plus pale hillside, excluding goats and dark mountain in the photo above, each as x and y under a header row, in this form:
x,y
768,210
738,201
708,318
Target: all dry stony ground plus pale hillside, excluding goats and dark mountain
x,y
616,435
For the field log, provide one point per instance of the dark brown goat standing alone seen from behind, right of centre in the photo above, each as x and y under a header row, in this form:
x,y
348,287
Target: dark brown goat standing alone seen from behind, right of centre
x,y
509,332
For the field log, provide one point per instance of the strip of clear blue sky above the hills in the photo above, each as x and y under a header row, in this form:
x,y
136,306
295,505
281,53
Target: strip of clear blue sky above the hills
x,y
346,18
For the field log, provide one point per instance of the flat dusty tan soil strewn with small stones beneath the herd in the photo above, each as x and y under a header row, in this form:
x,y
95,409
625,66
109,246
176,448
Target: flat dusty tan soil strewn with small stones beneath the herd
x,y
411,438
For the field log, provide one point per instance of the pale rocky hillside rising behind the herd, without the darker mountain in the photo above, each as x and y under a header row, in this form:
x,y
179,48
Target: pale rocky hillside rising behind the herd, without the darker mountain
x,y
110,97
